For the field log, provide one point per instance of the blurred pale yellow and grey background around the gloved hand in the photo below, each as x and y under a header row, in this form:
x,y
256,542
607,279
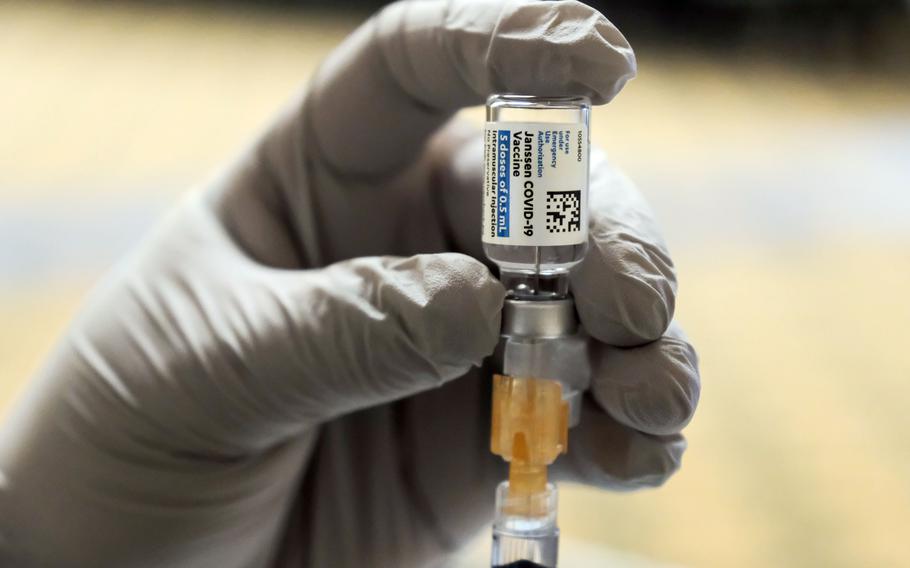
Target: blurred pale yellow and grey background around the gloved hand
x,y
772,138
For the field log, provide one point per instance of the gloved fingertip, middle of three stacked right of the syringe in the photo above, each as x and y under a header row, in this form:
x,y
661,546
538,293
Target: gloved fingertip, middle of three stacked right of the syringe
x,y
653,388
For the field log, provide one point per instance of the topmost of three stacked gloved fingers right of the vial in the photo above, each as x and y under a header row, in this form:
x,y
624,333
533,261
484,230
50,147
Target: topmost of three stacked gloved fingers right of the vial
x,y
625,288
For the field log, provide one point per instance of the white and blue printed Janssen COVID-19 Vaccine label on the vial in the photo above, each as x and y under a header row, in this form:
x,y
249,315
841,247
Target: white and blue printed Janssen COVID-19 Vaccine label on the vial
x,y
535,184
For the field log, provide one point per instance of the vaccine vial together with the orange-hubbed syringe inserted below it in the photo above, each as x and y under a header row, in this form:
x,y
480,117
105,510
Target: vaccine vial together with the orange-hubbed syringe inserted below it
x,y
535,230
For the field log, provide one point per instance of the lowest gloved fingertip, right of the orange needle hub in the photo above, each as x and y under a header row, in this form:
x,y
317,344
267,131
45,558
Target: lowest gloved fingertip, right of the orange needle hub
x,y
609,455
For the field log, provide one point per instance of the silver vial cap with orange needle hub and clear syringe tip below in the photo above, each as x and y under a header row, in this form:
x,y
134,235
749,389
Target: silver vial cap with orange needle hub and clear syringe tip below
x,y
530,424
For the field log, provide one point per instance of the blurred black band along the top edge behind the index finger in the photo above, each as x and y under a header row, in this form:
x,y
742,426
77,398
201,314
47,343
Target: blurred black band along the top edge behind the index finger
x,y
822,35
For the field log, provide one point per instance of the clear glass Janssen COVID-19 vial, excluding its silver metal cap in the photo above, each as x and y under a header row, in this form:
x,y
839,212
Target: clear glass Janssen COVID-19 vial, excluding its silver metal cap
x,y
535,197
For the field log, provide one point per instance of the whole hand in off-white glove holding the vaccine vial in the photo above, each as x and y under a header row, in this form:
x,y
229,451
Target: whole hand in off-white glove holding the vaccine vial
x,y
273,379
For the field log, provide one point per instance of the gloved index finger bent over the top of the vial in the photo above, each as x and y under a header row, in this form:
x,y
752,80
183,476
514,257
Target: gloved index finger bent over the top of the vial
x,y
404,72
